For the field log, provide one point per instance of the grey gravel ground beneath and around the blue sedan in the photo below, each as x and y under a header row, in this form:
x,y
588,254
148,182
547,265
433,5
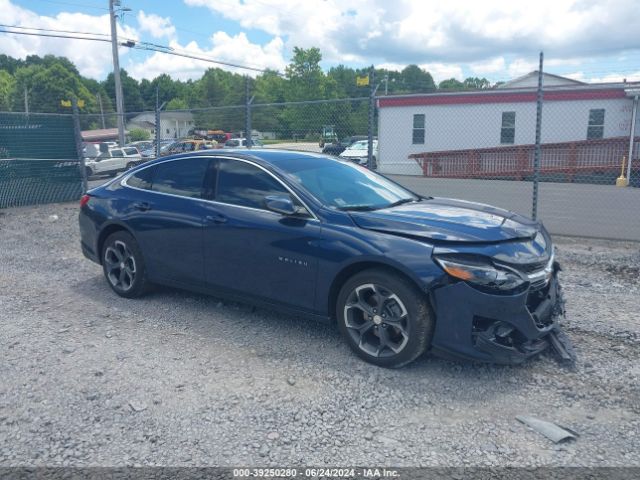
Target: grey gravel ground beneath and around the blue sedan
x,y
175,378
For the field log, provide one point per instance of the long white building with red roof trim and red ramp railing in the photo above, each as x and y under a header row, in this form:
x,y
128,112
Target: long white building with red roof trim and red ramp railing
x,y
475,133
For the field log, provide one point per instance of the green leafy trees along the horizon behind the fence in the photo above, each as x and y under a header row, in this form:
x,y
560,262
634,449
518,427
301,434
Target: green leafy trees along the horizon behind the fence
x,y
42,82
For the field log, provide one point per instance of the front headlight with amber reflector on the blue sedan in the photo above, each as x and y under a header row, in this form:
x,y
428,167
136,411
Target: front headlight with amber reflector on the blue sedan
x,y
480,272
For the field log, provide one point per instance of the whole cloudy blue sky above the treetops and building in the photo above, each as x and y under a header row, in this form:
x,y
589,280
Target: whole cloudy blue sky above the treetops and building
x,y
588,40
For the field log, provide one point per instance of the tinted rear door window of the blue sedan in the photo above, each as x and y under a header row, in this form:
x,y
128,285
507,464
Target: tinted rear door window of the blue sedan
x,y
183,177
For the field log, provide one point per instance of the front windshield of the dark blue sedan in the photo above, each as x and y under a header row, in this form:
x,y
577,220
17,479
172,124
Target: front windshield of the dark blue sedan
x,y
345,185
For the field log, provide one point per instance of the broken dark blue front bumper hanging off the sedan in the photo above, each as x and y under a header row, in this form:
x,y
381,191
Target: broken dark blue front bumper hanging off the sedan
x,y
507,329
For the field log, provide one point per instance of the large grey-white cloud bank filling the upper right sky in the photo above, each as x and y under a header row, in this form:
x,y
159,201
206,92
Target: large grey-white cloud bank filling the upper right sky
x,y
416,31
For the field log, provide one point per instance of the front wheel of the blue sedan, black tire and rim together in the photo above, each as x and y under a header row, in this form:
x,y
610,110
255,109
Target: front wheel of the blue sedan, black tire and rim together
x,y
405,339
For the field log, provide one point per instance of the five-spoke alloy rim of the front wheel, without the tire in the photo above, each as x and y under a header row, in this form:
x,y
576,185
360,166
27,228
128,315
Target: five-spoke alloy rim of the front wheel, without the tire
x,y
377,320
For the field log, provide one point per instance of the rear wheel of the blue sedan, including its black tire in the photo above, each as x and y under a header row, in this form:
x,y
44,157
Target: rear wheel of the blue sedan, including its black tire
x,y
123,265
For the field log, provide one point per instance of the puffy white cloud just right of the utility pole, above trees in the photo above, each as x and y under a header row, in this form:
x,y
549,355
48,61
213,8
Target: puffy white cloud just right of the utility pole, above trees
x,y
235,49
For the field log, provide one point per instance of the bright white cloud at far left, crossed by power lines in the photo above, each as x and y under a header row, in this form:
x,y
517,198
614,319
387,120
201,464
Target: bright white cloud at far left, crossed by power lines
x,y
93,59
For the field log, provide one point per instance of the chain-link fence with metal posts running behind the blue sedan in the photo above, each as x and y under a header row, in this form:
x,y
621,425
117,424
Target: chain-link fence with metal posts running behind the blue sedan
x,y
477,145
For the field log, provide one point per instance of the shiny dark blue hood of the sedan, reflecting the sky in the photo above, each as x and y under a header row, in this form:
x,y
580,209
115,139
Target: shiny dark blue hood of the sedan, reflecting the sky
x,y
449,220
